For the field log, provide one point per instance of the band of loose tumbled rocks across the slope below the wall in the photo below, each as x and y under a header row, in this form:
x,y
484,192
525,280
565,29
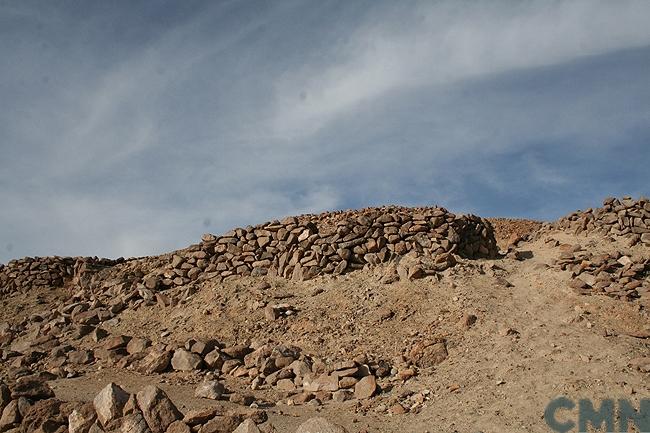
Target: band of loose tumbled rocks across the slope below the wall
x,y
66,344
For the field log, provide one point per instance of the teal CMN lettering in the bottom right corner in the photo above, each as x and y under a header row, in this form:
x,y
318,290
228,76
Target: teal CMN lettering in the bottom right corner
x,y
604,416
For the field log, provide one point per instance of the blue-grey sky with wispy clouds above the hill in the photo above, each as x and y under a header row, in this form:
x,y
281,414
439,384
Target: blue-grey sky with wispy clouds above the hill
x,y
130,128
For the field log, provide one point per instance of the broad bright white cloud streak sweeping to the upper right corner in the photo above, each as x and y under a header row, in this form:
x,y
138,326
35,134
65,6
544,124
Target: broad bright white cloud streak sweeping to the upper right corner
x,y
442,42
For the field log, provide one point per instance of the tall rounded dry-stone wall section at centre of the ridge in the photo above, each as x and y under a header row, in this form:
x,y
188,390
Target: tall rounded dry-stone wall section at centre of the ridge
x,y
303,247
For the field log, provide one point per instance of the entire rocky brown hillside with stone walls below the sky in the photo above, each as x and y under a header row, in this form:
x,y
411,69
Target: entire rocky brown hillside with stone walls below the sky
x,y
362,321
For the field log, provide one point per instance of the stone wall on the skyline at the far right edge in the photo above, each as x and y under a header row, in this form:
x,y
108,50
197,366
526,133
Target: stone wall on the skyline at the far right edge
x,y
617,217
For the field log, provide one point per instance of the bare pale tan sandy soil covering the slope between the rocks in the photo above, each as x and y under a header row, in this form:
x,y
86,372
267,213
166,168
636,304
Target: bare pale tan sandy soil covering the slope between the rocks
x,y
491,382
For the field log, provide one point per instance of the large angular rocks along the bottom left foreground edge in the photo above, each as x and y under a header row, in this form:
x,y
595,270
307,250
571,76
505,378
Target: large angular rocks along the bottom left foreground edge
x,y
29,405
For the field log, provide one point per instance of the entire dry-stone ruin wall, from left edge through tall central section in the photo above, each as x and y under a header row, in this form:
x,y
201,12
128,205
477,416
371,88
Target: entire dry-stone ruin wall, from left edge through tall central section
x,y
300,248
